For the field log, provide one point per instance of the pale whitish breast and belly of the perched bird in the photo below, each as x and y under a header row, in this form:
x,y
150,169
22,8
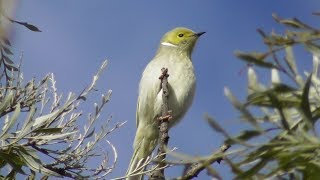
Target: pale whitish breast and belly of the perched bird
x,y
181,88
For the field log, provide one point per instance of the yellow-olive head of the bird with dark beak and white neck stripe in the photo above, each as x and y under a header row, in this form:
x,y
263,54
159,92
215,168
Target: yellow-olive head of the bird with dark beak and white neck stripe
x,y
182,39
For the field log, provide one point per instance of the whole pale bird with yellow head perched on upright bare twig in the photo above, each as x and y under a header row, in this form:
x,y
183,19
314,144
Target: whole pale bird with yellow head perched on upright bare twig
x,y
174,53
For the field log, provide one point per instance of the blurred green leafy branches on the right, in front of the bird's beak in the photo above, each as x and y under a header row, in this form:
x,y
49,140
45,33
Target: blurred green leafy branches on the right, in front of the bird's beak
x,y
282,141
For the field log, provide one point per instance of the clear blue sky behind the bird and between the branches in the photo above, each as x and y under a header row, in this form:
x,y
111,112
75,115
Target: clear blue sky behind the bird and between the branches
x,y
78,35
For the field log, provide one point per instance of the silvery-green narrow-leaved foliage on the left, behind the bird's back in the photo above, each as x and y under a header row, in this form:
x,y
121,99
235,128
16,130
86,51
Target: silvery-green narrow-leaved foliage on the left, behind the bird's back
x,y
41,133
